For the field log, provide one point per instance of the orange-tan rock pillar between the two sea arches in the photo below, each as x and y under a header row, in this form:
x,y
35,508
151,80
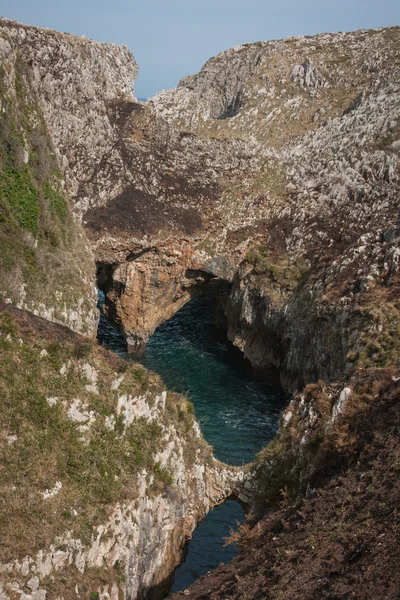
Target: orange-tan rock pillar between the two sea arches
x,y
156,283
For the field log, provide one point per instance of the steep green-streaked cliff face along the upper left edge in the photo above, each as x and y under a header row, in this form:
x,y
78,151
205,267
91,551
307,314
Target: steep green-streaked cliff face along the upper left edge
x,y
46,264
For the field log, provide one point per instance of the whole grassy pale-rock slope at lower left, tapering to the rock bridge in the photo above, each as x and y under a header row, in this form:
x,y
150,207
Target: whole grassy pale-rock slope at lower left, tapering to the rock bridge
x,y
104,474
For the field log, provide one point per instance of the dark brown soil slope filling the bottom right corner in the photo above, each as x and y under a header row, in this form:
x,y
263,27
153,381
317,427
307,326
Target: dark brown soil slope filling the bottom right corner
x,y
344,540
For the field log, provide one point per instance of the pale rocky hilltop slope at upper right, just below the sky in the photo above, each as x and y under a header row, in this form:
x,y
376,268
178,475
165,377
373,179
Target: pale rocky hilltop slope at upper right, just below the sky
x,y
276,90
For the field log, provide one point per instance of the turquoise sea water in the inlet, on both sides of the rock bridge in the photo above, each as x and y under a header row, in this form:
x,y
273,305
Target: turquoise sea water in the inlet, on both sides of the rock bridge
x,y
238,414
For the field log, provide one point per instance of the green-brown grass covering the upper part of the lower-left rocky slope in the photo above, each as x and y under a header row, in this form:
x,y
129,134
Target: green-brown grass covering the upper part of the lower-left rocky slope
x,y
97,464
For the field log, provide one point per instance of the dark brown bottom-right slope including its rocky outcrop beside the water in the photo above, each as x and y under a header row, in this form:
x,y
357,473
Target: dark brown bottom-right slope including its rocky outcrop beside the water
x,y
333,540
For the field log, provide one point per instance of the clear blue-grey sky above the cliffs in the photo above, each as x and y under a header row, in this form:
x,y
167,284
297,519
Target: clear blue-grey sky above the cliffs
x,y
174,38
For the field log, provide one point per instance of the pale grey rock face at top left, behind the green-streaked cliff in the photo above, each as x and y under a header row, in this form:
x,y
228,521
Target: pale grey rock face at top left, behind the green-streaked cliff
x,y
81,86
